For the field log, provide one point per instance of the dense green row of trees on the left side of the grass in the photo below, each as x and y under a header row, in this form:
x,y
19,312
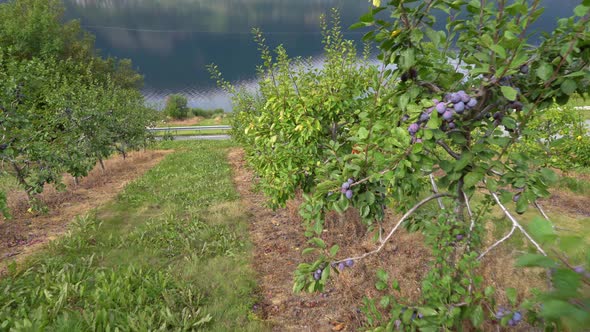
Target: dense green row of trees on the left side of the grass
x,y
62,106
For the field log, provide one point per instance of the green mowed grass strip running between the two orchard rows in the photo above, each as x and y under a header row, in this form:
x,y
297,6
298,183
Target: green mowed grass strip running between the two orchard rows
x,y
171,253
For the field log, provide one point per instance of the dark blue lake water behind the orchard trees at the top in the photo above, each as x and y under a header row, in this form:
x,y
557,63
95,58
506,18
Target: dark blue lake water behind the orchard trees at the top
x,y
171,41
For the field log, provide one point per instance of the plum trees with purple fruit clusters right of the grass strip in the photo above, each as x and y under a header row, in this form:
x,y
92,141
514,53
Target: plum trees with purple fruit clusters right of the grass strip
x,y
440,122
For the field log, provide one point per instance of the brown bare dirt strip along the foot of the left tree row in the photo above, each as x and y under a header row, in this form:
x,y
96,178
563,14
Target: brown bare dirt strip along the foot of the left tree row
x,y
26,232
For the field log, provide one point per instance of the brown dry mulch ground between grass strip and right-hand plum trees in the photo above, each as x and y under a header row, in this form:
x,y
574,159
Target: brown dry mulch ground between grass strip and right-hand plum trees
x,y
278,240
